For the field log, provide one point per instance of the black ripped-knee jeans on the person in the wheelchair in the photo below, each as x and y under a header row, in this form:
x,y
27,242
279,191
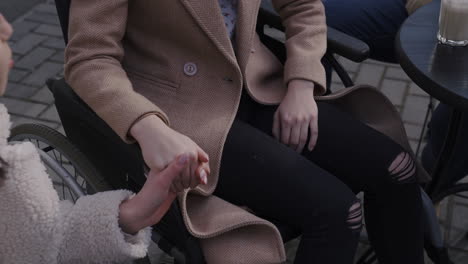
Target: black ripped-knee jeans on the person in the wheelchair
x,y
315,191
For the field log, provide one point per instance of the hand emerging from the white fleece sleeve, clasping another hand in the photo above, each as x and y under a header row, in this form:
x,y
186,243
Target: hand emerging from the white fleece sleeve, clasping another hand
x,y
152,202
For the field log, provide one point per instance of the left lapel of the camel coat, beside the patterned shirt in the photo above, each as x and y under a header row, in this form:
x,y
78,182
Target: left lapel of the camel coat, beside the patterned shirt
x,y
207,14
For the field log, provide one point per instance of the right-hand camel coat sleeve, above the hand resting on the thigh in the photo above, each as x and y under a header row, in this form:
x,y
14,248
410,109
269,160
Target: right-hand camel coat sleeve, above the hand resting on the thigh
x,y
306,40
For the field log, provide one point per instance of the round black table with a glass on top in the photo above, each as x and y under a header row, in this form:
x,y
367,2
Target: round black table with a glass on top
x,y
441,71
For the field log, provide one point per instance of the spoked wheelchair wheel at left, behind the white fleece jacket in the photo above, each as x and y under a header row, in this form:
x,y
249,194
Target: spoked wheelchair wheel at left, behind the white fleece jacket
x,y
76,171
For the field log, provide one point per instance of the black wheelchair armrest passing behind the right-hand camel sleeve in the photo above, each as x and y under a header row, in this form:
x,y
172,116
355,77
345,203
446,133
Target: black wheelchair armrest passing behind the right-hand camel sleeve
x,y
337,41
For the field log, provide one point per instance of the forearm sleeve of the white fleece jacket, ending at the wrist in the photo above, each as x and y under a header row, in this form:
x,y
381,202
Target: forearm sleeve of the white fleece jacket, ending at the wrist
x,y
91,232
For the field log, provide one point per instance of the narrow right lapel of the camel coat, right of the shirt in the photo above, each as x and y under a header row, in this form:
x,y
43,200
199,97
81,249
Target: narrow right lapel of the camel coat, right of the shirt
x,y
247,12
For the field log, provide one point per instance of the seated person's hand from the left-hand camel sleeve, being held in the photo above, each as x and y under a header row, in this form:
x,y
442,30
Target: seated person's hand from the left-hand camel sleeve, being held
x,y
160,145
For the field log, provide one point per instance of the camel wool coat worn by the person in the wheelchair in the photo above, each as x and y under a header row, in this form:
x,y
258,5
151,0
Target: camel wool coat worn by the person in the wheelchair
x,y
173,58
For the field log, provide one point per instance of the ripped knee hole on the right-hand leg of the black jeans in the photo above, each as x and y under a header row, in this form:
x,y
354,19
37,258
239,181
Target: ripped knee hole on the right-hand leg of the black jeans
x,y
403,168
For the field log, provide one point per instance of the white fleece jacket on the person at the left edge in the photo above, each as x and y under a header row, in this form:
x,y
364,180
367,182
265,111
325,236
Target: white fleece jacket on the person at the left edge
x,y
36,227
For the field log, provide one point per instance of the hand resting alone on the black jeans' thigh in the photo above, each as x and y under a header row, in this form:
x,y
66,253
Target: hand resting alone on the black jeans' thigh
x,y
296,116
